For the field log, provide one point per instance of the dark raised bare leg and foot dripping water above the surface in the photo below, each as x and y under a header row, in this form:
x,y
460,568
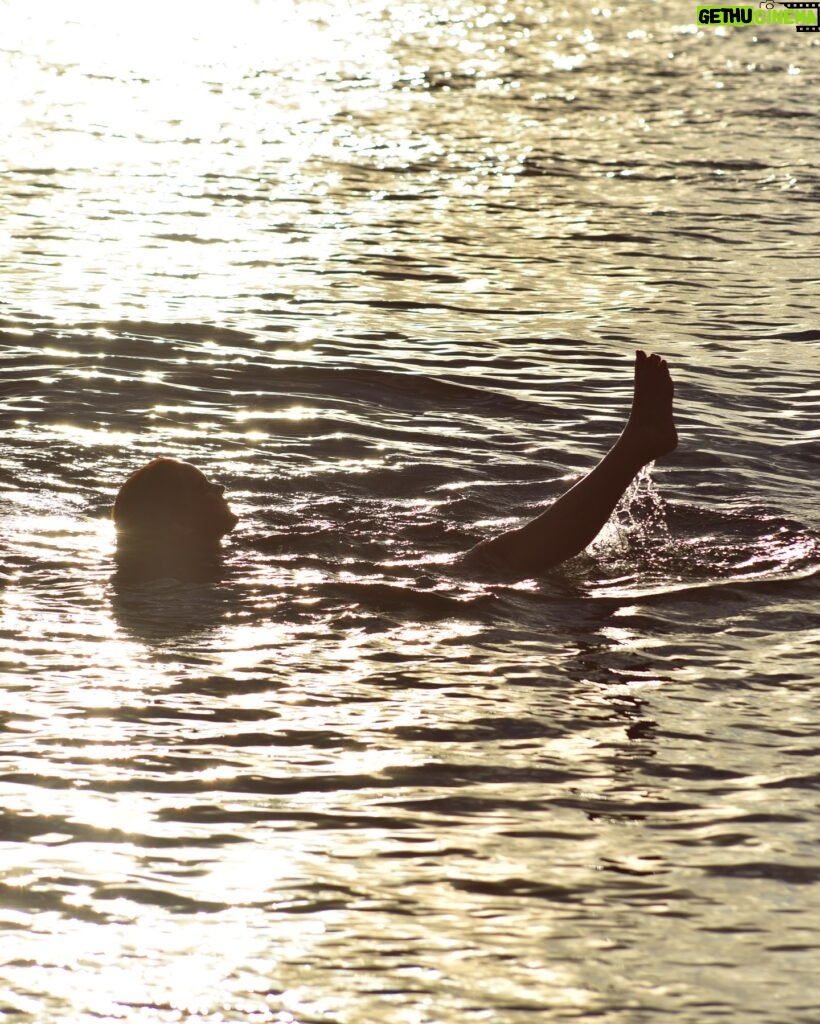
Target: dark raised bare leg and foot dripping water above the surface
x,y
576,519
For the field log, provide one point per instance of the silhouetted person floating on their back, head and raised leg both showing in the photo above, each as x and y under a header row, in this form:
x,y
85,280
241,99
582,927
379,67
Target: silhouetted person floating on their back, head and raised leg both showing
x,y
170,519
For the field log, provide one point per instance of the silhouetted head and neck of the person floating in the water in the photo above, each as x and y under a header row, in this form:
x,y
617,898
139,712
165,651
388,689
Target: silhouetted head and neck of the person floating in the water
x,y
170,521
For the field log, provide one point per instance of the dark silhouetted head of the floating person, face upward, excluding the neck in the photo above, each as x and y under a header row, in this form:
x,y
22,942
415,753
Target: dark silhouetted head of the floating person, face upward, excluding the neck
x,y
170,504
